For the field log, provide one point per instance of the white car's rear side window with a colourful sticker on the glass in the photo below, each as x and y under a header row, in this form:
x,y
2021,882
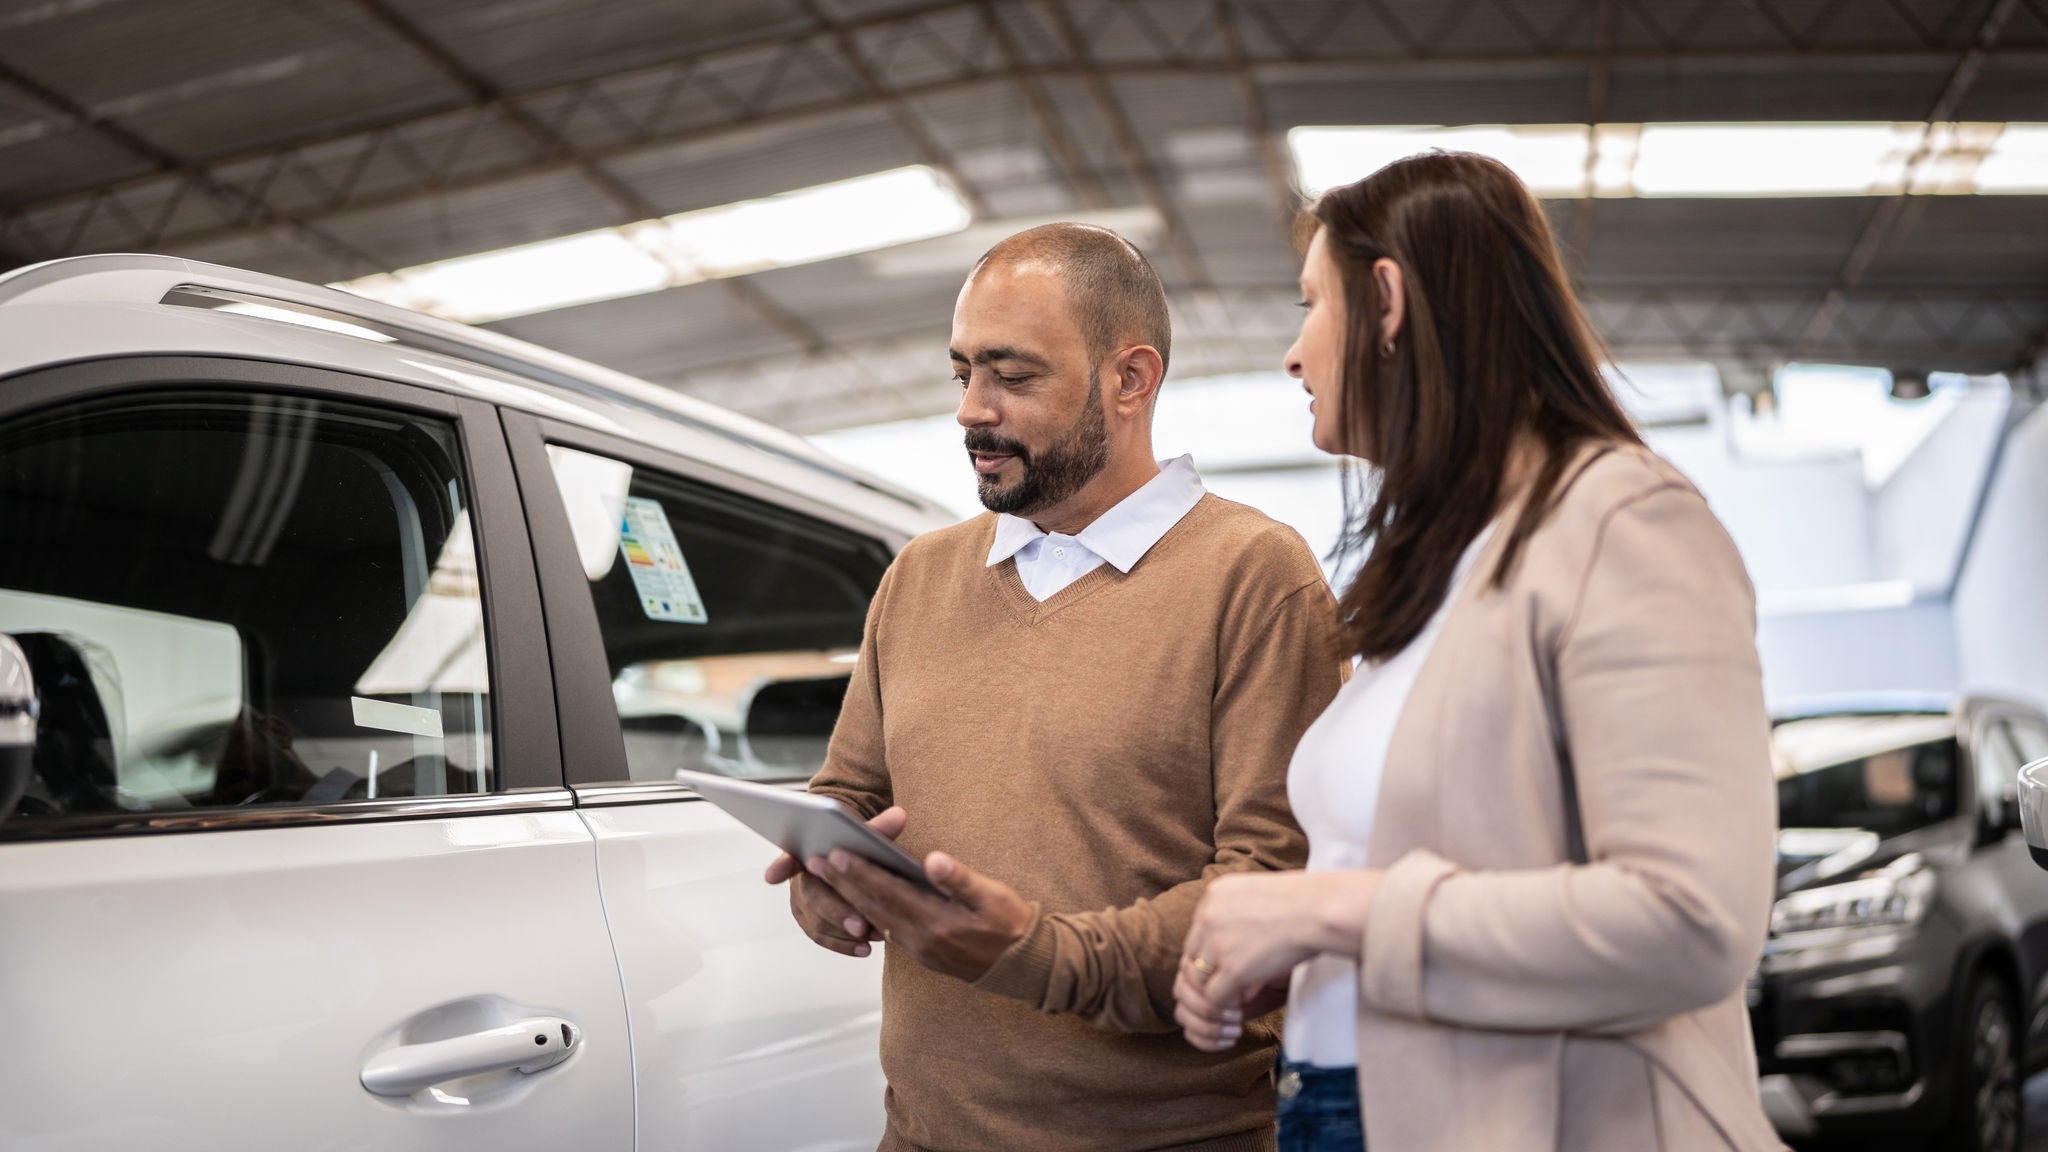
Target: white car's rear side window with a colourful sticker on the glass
x,y
730,624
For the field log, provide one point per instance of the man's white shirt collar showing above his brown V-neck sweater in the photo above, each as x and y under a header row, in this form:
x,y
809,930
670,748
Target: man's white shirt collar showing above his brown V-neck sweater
x,y
1048,563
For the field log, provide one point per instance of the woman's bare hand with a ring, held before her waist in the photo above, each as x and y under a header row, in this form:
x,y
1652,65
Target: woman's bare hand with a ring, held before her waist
x,y
1248,936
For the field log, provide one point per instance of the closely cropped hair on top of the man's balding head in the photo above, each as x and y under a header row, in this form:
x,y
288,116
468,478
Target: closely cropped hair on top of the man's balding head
x,y
1113,290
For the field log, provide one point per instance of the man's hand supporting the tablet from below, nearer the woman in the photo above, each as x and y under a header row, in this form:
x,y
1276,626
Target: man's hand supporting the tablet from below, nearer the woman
x,y
962,934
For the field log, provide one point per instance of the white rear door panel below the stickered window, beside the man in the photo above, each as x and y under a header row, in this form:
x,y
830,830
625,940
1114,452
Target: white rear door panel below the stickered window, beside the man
x,y
736,1016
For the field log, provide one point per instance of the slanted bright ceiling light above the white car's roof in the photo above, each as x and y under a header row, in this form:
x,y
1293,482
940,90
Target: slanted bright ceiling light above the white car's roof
x,y
728,241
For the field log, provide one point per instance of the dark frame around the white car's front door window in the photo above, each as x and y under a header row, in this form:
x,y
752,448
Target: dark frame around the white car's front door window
x,y
525,745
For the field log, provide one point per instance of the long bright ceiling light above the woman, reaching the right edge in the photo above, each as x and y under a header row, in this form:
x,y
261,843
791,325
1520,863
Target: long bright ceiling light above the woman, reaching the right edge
x,y
1707,159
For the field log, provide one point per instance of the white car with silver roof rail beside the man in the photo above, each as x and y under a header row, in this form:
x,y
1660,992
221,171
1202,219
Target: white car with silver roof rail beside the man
x,y
366,649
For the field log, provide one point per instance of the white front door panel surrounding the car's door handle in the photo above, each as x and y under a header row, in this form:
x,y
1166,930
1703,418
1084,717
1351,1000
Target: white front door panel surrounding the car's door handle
x,y
226,989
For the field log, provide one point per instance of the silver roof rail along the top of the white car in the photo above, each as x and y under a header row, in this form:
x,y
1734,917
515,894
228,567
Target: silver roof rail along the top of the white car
x,y
138,278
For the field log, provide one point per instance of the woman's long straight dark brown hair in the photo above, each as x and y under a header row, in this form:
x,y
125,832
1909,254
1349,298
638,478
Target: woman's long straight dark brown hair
x,y
1492,345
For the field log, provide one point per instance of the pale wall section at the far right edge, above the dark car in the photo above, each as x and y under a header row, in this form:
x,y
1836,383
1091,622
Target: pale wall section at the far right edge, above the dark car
x,y
2002,602
